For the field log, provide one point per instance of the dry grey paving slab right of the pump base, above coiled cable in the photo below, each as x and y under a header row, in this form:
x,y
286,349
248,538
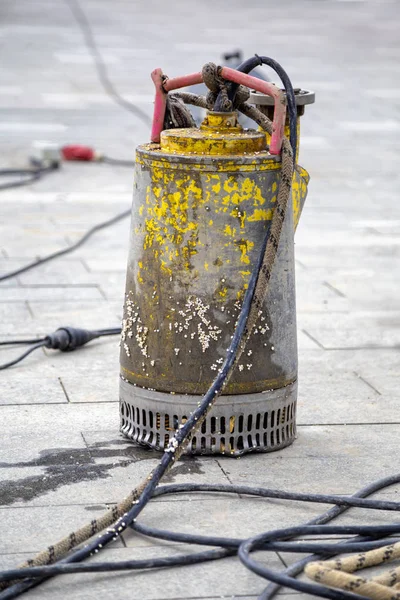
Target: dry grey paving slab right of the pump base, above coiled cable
x,y
324,459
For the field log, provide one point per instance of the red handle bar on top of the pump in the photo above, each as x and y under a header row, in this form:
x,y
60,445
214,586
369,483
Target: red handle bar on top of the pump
x,y
164,85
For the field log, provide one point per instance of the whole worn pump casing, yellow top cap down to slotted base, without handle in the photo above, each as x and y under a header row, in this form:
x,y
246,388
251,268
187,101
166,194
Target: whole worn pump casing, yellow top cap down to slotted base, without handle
x,y
203,202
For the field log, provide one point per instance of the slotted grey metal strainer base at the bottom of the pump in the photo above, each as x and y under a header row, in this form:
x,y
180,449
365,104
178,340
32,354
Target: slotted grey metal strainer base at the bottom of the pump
x,y
237,424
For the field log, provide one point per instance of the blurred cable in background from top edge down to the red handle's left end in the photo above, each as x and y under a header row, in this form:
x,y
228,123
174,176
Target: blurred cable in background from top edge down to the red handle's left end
x,y
101,69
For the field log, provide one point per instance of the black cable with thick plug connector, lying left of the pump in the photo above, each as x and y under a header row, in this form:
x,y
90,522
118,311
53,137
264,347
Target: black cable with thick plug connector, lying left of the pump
x,y
64,339
